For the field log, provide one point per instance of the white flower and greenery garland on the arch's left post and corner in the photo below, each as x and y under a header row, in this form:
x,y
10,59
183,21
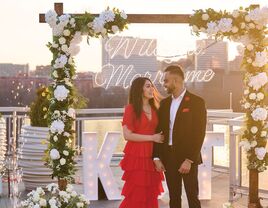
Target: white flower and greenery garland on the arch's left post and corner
x,y
67,34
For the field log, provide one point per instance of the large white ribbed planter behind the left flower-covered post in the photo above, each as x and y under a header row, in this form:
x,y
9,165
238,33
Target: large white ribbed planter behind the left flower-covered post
x,y
35,173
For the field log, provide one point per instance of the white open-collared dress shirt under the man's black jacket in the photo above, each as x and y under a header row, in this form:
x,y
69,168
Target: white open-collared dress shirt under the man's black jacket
x,y
175,104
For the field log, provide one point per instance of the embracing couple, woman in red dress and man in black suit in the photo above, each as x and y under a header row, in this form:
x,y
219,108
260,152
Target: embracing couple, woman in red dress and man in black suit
x,y
162,139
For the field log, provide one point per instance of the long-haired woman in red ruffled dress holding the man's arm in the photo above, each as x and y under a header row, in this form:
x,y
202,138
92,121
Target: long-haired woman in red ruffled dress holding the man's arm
x,y
143,183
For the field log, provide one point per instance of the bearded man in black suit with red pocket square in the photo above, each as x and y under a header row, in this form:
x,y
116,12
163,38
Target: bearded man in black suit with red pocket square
x,y
182,119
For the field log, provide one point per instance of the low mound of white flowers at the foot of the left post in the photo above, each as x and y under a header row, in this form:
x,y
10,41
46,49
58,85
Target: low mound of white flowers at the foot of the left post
x,y
55,198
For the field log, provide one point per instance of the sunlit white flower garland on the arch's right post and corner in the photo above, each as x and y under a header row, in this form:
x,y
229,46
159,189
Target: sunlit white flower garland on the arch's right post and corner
x,y
249,27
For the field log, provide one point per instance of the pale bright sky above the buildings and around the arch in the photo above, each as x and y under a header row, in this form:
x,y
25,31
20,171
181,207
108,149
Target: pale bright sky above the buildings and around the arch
x,y
23,39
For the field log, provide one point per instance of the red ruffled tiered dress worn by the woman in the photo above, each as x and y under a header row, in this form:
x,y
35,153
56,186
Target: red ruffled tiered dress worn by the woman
x,y
143,183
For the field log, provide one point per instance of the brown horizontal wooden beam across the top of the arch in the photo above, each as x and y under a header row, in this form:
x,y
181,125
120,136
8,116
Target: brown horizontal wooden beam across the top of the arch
x,y
145,18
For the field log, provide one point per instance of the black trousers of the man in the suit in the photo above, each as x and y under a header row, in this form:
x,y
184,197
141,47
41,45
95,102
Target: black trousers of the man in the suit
x,y
174,183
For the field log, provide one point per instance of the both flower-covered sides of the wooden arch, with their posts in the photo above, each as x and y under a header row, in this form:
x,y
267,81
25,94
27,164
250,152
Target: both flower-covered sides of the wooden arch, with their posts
x,y
245,25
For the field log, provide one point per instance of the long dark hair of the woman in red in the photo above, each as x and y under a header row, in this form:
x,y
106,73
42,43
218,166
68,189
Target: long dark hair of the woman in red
x,y
135,96
